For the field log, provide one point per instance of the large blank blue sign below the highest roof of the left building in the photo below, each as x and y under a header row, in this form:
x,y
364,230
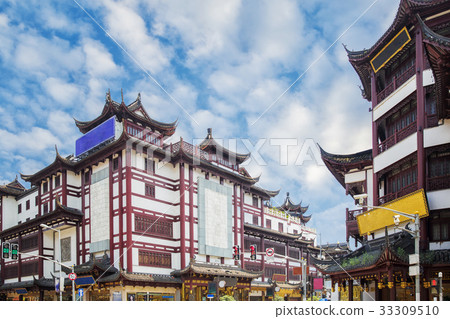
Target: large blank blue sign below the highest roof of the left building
x,y
96,136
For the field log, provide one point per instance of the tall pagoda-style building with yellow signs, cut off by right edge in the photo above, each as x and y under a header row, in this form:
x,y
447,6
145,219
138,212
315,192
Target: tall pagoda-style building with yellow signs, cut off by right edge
x,y
405,75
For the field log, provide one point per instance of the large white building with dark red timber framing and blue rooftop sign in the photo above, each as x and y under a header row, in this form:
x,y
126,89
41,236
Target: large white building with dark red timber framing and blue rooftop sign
x,y
142,219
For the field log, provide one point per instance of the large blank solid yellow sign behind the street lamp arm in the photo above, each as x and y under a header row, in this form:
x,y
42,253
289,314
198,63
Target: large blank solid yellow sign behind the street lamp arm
x,y
378,218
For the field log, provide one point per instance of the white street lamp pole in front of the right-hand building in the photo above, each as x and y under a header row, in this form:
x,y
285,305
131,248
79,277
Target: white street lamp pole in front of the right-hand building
x,y
415,232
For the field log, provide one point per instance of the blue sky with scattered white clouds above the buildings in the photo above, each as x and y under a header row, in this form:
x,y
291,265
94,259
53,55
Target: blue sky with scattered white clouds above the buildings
x,y
271,77
